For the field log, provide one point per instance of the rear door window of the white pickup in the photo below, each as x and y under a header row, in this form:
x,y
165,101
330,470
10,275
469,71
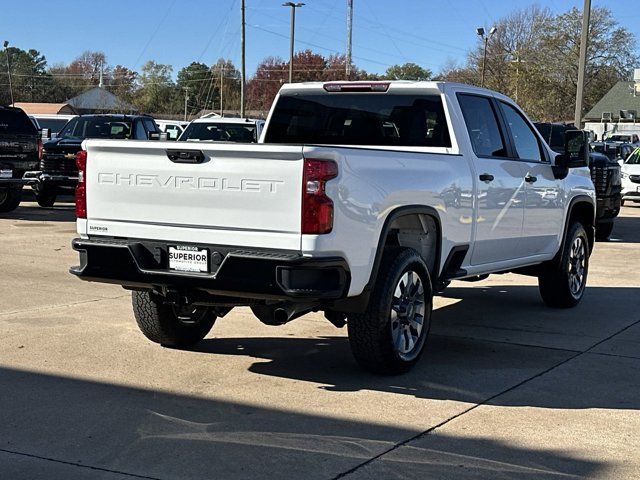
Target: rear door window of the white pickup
x,y
482,124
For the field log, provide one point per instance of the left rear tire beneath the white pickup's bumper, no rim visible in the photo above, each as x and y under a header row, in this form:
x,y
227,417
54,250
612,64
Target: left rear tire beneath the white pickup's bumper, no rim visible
x,y
164,324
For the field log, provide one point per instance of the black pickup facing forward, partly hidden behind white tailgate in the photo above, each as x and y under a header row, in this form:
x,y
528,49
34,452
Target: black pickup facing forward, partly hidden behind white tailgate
x,y
58,173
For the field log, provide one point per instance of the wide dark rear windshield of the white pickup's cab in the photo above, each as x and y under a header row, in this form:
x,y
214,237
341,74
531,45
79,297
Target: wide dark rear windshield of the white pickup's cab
x,y
359,119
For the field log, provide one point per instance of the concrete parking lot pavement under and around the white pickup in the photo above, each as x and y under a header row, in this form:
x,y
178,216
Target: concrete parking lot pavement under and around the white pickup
x,y
507,388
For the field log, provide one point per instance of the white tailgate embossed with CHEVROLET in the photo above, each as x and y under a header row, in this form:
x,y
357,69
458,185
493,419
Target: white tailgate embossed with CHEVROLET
x,y
239,194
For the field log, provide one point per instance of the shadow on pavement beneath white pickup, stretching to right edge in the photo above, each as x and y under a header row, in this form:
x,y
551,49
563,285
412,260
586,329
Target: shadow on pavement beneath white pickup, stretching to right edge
x,y
459,364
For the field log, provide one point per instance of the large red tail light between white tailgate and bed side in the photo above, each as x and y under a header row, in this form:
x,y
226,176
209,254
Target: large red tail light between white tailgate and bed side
x,y
317,207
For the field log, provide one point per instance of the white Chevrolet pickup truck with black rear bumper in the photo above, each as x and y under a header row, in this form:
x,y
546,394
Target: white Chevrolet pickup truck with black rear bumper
x,y
360,200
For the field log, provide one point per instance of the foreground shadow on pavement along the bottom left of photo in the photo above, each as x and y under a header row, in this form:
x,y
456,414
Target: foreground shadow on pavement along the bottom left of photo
x,y
161,435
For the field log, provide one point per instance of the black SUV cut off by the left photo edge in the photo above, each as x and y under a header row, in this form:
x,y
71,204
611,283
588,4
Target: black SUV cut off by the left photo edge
x,y
20,150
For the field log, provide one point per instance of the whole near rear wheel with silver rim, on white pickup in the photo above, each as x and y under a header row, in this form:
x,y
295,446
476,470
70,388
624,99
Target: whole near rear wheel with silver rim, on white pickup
x,y
389,337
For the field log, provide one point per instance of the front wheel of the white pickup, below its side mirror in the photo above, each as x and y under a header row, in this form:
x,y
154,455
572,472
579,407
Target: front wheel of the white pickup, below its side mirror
x,y
562,281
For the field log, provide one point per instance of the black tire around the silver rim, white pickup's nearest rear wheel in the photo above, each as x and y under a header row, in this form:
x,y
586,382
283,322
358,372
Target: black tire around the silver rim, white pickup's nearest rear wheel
x,y
371,334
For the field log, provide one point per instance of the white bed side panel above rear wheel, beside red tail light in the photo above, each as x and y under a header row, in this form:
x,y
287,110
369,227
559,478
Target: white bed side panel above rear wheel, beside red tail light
x,y
372,183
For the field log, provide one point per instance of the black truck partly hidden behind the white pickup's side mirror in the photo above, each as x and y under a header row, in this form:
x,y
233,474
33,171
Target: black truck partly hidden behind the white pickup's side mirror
x,y
605,174
